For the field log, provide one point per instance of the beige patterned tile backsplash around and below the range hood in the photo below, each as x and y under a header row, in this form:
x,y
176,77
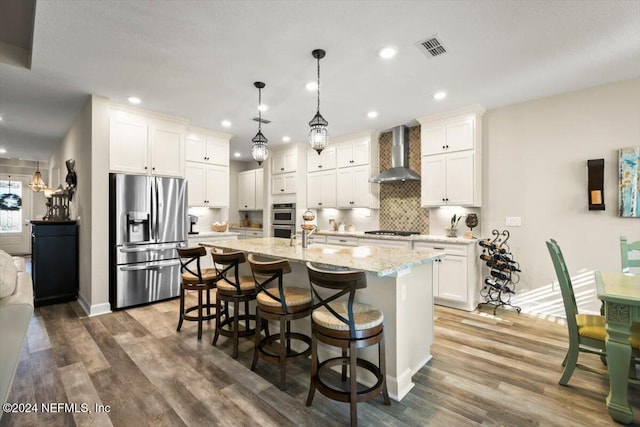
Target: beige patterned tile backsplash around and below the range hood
x,y
400,203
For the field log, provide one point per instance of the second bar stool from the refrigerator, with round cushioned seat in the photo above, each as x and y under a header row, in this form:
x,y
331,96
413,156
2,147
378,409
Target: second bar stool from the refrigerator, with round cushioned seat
x,y
233,289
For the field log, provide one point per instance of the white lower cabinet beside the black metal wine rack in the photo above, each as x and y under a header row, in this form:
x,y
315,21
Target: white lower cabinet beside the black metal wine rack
x,y
456,276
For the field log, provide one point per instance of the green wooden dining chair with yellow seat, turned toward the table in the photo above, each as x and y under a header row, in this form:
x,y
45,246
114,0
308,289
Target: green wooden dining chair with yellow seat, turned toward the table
x,y
587,333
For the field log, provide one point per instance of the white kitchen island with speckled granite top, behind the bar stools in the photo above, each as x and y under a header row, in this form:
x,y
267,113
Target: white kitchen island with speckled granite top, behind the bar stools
x,y
399,282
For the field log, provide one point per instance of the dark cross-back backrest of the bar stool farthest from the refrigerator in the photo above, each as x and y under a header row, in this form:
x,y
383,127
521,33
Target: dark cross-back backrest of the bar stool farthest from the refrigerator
x,y
342,282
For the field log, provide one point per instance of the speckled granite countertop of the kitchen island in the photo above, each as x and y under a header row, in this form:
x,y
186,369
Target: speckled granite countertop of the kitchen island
x,y
379,261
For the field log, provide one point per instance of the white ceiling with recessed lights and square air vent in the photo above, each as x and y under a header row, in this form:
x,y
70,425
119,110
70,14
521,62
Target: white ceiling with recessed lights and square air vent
x,y
199,59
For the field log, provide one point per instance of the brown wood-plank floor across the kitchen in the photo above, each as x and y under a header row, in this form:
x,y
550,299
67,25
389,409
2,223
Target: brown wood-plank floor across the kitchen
x,y
486,370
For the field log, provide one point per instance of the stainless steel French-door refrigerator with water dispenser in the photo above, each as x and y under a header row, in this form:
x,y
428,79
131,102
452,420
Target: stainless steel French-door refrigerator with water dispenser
x,y
148,221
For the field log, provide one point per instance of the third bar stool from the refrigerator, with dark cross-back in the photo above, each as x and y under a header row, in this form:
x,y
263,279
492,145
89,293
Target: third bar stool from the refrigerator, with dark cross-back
x,y
282,304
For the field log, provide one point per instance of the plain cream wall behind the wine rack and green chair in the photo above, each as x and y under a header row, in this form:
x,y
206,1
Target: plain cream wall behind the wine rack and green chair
x,y
535,167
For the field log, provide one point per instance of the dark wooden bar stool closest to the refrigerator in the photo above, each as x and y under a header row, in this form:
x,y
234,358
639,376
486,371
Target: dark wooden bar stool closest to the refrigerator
x,y
194,278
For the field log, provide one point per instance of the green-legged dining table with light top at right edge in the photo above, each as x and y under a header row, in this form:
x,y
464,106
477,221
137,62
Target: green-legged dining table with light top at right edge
x,y
621,295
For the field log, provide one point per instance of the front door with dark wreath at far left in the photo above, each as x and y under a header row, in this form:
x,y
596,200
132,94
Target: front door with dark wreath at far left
x,y
15,211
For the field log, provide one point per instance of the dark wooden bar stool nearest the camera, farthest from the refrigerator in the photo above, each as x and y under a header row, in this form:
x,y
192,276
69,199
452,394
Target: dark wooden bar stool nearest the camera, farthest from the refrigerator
x,y
348,325
